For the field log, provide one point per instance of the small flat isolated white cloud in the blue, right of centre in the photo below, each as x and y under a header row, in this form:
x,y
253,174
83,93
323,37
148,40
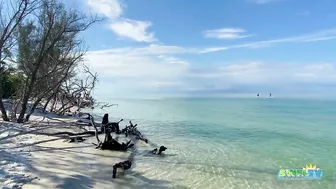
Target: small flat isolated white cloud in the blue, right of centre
x,y
226,33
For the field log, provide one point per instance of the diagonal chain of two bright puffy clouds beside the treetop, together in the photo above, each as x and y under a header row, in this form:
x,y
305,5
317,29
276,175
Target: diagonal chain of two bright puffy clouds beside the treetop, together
x,y
126,28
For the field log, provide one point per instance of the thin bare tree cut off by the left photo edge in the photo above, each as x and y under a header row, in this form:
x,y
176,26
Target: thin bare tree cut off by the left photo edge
x,y
12,12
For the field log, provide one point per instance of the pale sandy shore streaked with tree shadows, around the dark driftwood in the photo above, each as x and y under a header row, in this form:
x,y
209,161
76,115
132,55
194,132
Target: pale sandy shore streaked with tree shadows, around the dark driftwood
x,y
40,161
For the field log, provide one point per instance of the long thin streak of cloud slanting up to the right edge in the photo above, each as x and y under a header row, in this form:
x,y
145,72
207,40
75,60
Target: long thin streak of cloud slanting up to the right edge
x,y
312,37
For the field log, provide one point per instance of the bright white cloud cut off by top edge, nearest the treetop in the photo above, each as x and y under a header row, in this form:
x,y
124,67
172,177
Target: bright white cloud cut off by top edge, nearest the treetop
x,y
109,8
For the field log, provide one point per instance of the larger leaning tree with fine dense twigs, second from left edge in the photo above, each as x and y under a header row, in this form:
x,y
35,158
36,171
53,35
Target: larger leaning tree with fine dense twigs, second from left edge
x,y
49,51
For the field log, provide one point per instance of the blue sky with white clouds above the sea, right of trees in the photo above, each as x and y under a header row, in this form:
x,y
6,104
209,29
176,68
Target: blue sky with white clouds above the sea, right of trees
x,y
151,48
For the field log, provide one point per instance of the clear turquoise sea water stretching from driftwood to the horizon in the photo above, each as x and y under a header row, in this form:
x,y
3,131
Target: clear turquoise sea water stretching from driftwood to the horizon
x,y
233,143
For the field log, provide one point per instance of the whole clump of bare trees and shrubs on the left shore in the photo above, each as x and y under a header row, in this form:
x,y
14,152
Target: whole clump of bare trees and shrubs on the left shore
x,y
42,39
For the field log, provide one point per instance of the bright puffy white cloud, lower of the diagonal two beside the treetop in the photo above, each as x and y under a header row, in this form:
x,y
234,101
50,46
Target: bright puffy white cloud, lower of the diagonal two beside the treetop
x,y
133,29
